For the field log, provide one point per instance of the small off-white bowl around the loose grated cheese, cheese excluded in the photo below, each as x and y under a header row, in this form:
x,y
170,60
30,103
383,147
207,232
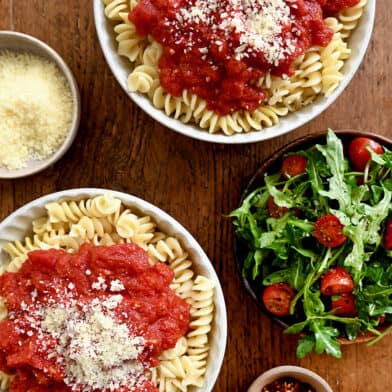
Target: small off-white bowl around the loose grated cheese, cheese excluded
x,y
18,42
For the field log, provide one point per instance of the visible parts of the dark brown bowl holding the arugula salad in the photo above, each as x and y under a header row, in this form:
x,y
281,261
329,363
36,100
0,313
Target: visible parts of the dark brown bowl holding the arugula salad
x,y
273,164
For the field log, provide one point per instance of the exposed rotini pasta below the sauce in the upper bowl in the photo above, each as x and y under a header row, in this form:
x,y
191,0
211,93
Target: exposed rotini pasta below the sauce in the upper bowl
x,y
317,72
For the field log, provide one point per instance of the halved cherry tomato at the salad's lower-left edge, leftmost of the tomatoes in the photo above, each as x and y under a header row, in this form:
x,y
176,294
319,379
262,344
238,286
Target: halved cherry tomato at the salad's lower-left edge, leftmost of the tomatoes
x,y
277,298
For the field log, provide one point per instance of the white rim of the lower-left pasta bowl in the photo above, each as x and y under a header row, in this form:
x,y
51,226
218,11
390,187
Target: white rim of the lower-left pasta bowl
x,y
200,258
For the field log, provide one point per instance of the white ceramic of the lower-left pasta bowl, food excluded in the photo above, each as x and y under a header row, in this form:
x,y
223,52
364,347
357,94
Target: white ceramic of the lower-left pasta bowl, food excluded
x,y
18,225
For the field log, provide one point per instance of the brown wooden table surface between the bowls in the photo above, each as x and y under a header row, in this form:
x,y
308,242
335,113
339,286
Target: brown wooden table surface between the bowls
x,y
121,148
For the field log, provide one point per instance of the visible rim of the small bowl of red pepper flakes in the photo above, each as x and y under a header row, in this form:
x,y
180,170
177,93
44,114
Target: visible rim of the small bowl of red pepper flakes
x,y
297,372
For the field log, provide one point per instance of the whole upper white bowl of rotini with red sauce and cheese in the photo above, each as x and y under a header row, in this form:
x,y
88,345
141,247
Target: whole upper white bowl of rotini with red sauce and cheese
x,y
219,74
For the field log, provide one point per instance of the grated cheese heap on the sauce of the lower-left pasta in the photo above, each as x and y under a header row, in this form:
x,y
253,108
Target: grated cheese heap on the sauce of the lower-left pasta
x,y
98,353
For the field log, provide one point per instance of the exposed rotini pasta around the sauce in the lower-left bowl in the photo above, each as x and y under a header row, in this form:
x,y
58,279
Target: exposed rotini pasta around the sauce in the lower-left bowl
x,y
104,220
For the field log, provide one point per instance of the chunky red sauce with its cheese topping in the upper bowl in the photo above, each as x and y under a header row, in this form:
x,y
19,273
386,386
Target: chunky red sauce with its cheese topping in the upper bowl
x,y
219,49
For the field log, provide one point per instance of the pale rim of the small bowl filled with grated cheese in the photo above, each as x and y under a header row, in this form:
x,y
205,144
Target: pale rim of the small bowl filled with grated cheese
x,y
76,105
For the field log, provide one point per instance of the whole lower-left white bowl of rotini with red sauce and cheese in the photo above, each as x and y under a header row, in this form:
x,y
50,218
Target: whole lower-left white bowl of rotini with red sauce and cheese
x,y
110,291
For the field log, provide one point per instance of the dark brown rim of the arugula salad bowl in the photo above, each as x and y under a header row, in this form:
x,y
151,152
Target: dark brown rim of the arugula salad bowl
x,y
251,185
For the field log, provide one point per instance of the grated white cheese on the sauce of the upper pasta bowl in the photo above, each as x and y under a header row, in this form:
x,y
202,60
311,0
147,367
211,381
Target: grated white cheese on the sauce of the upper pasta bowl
x,y
259,24
